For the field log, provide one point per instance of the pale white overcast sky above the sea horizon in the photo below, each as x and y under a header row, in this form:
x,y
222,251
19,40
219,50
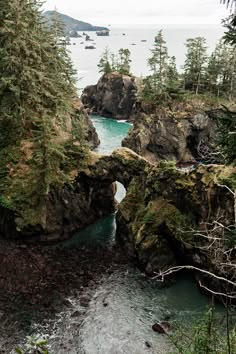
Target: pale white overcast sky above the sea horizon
x,y
104,12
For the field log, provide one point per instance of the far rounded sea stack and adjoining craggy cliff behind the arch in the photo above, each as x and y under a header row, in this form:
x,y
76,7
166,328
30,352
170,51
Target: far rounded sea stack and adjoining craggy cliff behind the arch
x,y
177,131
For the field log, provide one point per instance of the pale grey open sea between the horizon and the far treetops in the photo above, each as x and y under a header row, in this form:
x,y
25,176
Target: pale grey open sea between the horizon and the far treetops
x,y
86,60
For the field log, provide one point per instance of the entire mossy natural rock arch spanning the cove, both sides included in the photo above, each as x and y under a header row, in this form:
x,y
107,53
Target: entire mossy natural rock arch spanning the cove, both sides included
x,y
154,221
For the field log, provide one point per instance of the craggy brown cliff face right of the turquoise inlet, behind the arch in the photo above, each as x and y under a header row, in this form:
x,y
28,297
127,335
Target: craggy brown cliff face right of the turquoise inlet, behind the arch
x,y
167,137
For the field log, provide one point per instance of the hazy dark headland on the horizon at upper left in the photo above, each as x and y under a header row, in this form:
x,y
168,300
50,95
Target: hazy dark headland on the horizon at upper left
x,y
72,24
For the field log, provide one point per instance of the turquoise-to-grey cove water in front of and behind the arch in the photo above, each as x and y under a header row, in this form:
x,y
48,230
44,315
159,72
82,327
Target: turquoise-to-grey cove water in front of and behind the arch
x,y
125,303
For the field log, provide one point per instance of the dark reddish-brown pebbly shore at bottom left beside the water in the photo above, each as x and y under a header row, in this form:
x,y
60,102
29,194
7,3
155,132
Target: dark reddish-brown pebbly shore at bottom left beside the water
x,y
37,283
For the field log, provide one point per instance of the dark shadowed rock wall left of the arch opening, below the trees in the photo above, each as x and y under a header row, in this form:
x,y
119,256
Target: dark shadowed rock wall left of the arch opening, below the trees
x,y
67,210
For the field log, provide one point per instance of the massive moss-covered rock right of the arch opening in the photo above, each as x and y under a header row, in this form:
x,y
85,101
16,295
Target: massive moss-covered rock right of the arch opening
x,y
161,208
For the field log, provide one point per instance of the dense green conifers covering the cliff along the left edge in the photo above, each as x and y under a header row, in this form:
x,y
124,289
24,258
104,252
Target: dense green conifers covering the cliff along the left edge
x,y
41,136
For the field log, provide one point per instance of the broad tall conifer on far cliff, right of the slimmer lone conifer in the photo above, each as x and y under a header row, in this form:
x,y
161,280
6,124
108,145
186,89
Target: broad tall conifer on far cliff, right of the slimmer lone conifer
x,y
194,66
